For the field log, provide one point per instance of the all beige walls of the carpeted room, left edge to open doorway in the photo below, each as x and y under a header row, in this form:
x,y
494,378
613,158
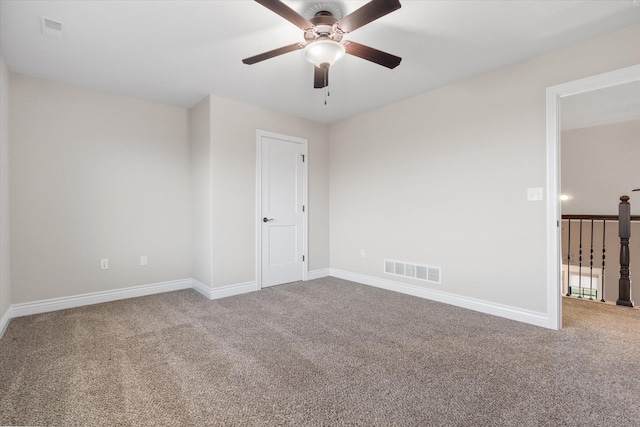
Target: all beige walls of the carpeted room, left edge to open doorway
x,y
439,179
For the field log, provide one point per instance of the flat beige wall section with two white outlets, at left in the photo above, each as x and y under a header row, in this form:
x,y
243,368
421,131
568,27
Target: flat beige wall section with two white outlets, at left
x,y
95,175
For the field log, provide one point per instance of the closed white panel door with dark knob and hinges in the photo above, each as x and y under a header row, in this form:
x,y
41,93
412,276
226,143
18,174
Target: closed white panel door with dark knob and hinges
x,y
282,209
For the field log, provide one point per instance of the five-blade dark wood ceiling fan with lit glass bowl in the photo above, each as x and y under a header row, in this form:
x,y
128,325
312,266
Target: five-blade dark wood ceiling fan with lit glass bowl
x,y
323,35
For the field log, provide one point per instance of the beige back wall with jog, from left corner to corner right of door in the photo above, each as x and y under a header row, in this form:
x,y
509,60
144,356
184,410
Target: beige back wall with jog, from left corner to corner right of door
x,y
105,176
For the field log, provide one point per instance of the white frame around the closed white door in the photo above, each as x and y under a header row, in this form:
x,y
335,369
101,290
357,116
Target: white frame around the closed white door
x,y
305,201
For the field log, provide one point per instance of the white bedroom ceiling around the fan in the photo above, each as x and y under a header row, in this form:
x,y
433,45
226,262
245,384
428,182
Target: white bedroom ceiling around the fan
x,y
178,52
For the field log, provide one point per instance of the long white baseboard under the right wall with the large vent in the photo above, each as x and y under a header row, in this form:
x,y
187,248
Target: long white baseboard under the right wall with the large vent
x,y
508,312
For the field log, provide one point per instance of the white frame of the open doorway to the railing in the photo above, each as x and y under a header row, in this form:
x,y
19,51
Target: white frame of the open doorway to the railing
x,y
554,216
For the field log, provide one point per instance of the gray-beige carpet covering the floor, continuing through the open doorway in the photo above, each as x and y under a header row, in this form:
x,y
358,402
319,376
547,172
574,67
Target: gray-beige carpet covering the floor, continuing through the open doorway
x,y
324,352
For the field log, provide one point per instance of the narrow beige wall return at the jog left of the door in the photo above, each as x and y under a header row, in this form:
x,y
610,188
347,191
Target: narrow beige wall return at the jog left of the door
x,y
200,165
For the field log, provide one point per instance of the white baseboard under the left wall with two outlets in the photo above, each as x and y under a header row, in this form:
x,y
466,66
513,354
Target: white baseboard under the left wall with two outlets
x,y
44,306
